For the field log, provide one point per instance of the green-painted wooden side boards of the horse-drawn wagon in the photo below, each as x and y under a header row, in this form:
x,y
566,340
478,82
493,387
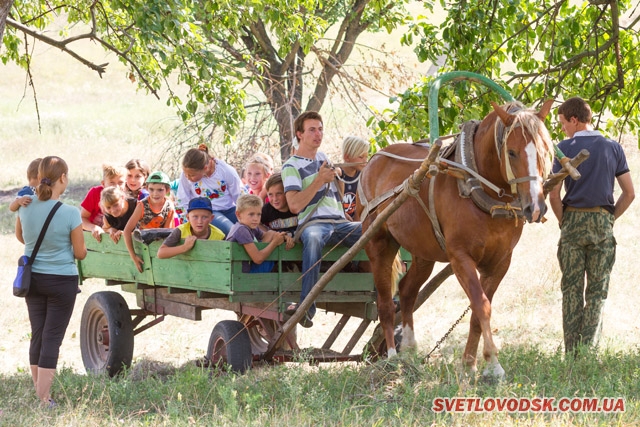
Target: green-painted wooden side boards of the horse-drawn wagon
x,y
211,276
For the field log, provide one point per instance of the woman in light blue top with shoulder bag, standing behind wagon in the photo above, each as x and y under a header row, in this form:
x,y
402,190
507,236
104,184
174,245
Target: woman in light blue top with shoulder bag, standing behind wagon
x,y
54,279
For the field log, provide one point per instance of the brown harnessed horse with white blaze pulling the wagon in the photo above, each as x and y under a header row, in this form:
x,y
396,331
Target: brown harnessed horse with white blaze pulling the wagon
x,y
512,150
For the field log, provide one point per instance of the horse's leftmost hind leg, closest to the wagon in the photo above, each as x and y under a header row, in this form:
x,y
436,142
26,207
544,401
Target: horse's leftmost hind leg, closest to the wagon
x,y
381,250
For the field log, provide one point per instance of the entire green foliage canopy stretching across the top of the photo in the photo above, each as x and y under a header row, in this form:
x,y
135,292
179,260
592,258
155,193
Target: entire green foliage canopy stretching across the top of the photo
x,y
261,57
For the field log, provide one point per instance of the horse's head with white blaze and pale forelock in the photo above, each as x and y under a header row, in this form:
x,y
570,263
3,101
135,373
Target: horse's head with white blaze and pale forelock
x,y
525,151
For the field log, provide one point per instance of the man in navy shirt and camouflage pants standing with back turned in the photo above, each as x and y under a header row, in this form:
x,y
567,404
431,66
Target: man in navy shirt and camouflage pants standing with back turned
x,y
586,214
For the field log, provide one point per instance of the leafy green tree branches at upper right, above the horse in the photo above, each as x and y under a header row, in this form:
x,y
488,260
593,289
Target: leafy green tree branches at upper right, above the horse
x,y
538,49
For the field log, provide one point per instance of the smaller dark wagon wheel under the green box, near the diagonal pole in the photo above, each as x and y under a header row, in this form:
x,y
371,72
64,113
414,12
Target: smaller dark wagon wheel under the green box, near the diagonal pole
x,y
229,344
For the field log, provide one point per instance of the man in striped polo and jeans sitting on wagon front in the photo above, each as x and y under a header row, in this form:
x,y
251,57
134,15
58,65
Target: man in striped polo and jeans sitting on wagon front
x,y
312,193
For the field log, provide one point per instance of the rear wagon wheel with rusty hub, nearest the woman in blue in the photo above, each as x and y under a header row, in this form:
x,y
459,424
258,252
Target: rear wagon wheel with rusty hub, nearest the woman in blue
x,y
106,334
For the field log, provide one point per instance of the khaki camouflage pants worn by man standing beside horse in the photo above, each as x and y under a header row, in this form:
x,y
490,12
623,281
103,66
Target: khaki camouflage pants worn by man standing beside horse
x,y
586,247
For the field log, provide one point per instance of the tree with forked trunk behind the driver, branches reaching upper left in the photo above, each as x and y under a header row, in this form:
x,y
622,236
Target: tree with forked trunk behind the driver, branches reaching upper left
x,y
224,51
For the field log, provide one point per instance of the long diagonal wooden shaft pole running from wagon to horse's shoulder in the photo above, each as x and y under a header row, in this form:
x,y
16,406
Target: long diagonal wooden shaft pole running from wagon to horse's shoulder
x,y
414,181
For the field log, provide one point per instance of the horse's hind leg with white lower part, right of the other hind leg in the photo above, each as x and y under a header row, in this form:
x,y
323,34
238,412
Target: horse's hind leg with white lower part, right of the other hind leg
x,y
409,287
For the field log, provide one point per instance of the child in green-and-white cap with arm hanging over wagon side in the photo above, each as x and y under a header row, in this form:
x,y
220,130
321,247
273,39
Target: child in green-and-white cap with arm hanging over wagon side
x,y
156,211
